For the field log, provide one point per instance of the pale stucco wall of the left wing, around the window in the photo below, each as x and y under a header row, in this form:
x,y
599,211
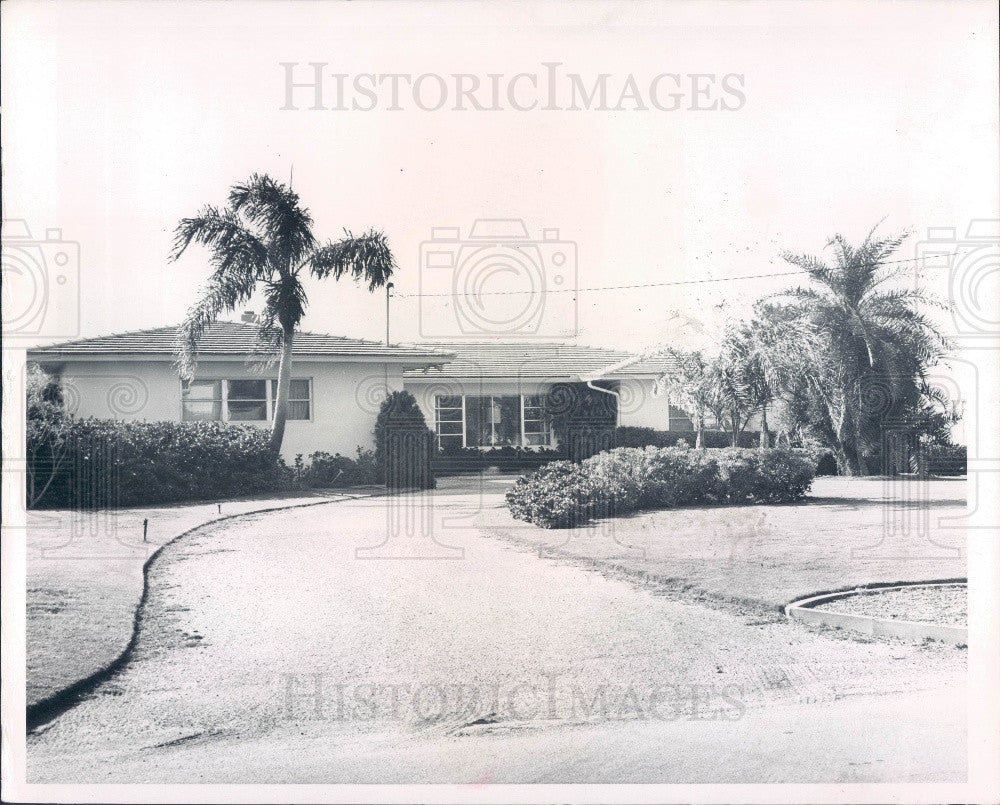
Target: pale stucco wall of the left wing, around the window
x,y
345,396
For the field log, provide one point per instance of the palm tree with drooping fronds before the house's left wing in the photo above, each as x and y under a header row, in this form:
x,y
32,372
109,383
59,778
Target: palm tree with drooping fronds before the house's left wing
x,y
263,240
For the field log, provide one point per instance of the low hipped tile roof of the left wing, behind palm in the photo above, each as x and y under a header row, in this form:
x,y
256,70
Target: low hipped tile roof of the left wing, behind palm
x,y
228,338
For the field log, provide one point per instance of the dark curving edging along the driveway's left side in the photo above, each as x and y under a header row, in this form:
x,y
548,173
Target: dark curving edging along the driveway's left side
x,y
54,705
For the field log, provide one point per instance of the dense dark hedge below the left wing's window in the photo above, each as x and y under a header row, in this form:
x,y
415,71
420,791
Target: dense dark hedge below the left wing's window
x,y
107,463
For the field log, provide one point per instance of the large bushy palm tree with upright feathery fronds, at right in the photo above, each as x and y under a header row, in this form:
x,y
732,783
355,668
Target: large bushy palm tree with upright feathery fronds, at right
x,y
873,334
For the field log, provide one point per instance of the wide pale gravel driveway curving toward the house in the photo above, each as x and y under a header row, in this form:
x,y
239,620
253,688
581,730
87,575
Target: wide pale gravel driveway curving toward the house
x,y
269,651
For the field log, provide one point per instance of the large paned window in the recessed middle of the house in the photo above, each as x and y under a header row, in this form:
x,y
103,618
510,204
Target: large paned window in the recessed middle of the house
x,y
491,421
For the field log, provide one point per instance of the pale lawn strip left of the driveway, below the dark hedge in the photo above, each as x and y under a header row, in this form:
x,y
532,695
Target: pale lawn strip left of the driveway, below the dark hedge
x,y
85,579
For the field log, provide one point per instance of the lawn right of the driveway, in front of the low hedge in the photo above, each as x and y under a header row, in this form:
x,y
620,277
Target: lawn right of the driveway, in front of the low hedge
x,y
846,532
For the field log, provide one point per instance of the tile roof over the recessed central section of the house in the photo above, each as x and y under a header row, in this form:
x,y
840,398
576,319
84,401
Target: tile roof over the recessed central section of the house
x,y
555,361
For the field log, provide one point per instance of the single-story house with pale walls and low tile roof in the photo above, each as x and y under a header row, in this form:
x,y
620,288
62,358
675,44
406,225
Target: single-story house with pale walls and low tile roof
x,y
472,394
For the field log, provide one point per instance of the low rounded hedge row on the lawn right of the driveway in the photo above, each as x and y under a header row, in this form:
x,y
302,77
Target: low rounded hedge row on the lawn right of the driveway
x,y
564,495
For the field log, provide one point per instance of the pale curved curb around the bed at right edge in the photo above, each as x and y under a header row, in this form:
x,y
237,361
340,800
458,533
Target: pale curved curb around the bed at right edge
x,y
804,610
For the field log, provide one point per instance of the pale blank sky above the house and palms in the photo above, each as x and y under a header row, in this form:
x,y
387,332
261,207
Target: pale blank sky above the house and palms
x,y
122,118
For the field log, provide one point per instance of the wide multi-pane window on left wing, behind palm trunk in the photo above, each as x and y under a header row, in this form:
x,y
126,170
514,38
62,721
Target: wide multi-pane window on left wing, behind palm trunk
x,y
243,400
